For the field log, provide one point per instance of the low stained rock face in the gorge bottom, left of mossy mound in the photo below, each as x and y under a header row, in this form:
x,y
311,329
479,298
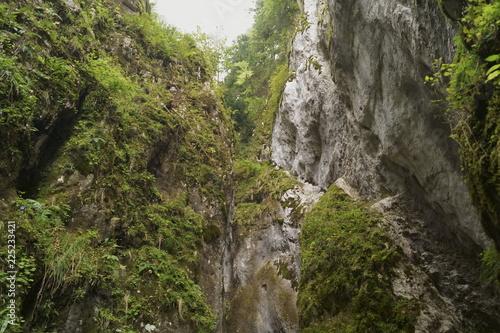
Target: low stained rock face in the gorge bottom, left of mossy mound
x,y
262,266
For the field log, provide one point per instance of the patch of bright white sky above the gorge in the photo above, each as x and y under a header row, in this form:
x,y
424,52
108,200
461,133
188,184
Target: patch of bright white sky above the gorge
x,y
230,17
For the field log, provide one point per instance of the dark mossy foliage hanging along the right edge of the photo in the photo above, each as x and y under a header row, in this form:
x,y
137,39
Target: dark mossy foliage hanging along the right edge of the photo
x,y
473,105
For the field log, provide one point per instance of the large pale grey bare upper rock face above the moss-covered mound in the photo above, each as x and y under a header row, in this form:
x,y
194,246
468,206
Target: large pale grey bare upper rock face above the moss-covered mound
x,y
358,108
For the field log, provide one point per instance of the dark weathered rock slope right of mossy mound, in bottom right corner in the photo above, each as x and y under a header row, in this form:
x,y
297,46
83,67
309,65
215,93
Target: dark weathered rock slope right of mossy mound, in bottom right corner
x,y
435,273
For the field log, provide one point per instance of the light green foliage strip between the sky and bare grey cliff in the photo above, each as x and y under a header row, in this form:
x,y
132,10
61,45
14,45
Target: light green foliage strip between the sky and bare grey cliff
x,y
255,61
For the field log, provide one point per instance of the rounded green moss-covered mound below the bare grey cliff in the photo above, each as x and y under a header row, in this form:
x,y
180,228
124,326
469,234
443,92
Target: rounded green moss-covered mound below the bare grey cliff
x,y
346,269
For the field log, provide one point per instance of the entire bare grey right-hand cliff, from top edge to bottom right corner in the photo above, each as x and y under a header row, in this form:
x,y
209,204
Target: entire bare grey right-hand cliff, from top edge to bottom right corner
x,y
358,108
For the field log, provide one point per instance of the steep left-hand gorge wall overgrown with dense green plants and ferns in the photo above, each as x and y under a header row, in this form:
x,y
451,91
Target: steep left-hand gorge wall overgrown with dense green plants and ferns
x,y
114,101
